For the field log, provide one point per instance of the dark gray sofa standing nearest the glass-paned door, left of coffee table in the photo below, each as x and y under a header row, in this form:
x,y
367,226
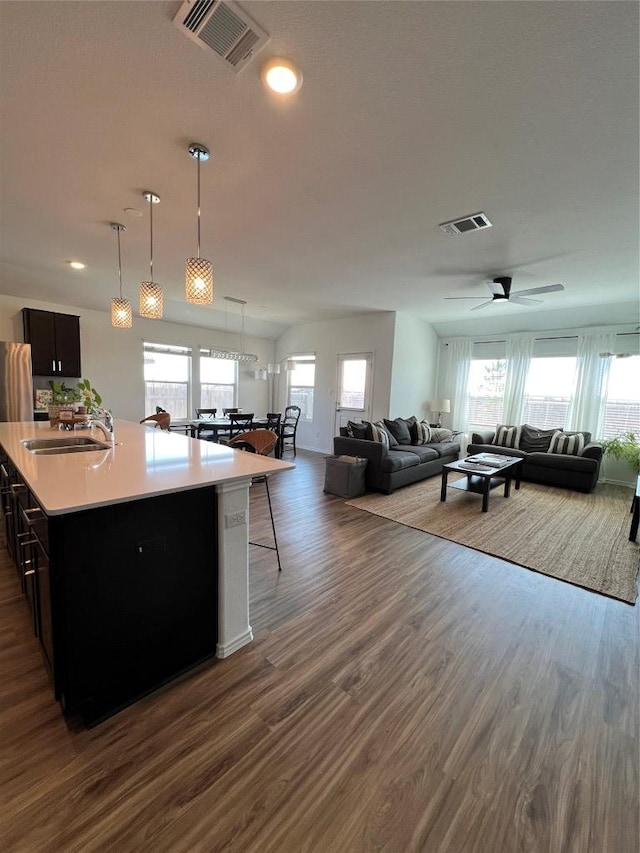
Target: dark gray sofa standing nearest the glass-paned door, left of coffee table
x,y
388,468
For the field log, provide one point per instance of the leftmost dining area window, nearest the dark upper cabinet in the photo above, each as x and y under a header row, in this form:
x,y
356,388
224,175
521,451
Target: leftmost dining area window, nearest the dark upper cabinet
x,y
167,379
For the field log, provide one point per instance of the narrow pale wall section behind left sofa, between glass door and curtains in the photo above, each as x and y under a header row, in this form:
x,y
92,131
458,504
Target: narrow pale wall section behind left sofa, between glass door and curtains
x,y
415,357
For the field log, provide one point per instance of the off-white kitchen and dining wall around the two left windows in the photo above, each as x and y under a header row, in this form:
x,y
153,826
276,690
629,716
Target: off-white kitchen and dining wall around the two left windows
x,y
112,358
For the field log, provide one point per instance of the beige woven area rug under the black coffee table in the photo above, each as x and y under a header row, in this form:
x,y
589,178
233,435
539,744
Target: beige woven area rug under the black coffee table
x,y
575,537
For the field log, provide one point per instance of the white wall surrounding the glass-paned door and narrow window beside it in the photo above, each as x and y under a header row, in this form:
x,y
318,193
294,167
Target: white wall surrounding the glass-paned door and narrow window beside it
x,y
366,333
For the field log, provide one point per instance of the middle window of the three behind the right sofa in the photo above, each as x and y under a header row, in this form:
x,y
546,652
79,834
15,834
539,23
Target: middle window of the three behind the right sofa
x,y
548,392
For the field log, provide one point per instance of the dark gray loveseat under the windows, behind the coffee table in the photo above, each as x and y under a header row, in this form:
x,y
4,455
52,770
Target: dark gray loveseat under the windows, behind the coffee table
x,y
579,472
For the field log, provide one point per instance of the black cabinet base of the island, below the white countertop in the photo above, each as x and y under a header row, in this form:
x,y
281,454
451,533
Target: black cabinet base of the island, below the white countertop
x,y
124,597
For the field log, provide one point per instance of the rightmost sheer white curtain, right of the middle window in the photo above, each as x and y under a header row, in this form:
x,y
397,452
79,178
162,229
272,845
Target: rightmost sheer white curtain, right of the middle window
x,y
595,354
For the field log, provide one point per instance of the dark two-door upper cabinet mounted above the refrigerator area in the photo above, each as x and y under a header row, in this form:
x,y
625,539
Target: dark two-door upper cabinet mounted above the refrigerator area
x,y
55,342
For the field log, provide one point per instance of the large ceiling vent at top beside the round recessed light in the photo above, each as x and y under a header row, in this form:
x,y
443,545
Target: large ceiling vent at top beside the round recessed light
x,y
223,28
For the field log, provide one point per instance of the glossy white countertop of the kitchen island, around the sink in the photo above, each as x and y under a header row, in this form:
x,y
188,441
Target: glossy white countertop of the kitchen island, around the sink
x,y
143,462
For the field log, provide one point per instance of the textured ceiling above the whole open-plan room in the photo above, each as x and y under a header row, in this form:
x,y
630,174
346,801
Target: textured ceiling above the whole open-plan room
x,y
328,204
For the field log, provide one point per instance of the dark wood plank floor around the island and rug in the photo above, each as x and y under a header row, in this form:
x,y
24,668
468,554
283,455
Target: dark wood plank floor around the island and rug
x,y
403,693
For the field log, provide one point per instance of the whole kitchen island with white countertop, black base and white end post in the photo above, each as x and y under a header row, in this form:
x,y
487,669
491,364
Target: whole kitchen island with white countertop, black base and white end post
x,y
133,557
